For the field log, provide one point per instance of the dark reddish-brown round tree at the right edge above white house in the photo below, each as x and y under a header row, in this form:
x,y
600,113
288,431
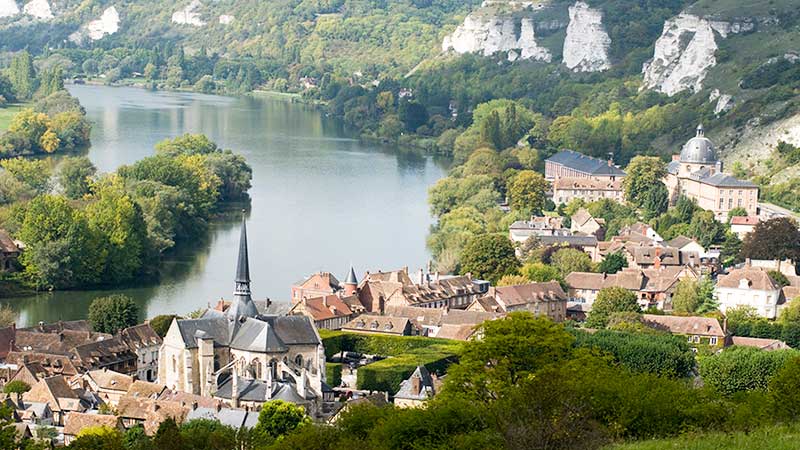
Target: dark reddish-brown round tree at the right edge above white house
x,y
777,238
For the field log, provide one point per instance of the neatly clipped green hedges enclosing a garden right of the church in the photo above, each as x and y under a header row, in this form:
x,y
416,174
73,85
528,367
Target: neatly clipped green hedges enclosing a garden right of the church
x,y
404,354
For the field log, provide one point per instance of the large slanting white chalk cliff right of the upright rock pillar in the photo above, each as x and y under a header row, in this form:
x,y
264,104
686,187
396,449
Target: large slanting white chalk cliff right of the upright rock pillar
x,y
685,52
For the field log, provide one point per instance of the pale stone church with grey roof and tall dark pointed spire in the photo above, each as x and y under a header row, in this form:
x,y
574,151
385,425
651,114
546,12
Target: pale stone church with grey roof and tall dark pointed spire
x,y
243,357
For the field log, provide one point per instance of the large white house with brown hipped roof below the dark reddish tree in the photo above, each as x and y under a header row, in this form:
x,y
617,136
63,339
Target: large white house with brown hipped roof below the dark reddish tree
x,y
748,286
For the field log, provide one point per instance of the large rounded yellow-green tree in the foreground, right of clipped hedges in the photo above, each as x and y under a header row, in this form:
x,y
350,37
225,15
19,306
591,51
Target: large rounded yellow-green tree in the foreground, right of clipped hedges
x,y
510,350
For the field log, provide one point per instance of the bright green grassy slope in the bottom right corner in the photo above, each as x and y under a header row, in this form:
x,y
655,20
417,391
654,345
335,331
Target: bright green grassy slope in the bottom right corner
x,y
771,438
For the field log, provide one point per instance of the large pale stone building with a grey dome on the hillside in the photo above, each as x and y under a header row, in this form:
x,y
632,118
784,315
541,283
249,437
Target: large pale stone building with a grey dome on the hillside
x,y
696,173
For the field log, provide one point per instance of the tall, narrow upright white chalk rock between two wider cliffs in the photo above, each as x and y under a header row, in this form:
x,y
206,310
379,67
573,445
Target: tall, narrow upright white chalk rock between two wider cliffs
x,y
586,44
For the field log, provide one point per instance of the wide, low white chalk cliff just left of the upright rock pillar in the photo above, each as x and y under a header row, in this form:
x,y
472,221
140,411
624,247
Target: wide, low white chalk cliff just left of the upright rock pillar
x,y
488,35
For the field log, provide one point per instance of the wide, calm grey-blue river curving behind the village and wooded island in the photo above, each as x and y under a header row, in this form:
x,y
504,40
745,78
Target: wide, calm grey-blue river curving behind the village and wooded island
x,y
320,200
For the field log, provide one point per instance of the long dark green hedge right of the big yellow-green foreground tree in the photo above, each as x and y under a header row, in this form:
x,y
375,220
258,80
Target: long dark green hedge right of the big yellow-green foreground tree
x,y
661,354
